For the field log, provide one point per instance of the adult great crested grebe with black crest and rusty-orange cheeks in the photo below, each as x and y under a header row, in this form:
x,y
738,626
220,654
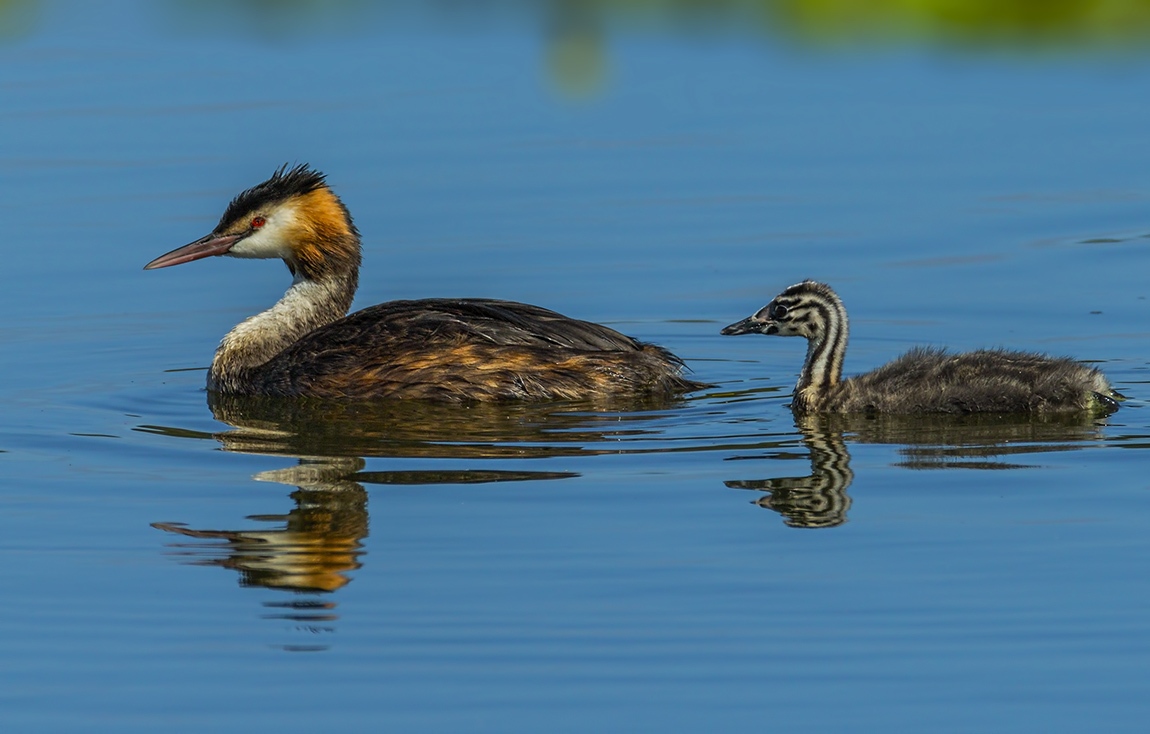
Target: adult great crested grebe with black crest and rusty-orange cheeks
x,y
457,350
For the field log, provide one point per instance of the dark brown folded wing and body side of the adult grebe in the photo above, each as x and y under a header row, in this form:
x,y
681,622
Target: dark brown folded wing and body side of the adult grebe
x,y
469,350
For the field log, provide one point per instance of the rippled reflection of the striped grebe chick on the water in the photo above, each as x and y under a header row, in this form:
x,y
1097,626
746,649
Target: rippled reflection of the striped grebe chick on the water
x,y
926,442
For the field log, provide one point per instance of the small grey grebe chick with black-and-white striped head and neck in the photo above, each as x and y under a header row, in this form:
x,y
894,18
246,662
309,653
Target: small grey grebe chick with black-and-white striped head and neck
x,y
925,380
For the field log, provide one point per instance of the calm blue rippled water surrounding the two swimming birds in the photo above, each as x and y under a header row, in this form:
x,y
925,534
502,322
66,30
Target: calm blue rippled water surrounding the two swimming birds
x,y
701,565
